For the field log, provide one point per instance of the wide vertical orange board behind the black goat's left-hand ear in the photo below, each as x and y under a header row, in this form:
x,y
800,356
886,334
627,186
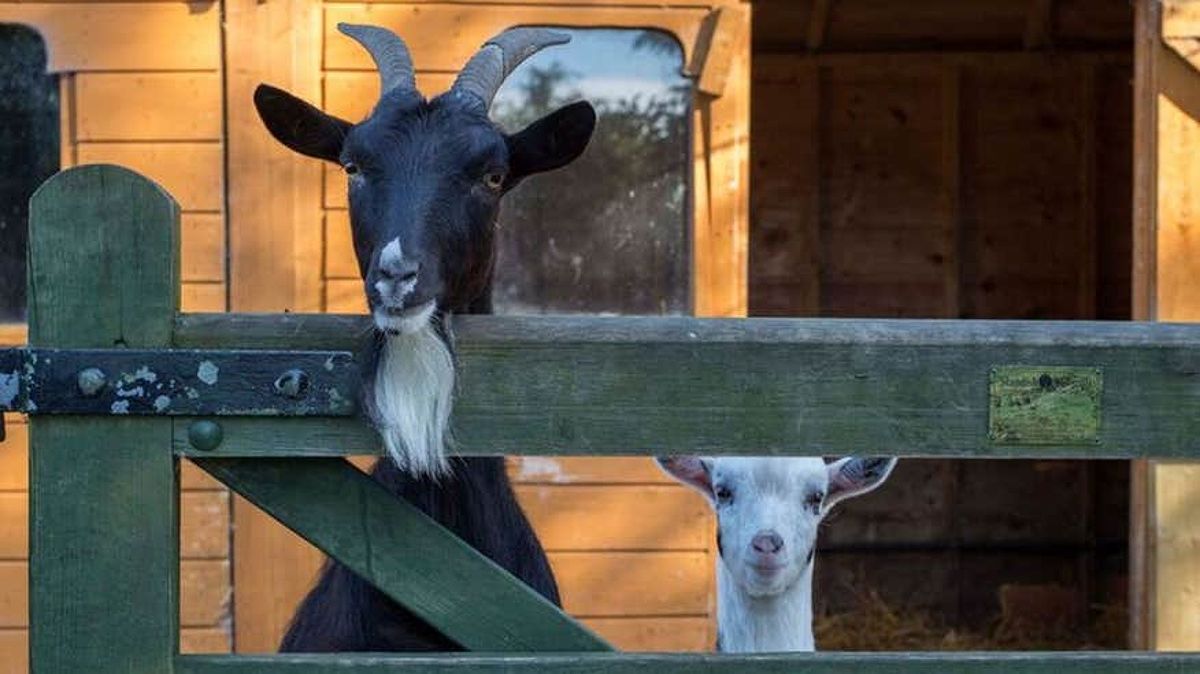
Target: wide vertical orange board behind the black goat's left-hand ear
x,y
275,257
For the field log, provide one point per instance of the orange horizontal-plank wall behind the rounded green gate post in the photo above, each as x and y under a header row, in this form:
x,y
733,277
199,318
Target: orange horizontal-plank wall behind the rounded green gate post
x,y
141,86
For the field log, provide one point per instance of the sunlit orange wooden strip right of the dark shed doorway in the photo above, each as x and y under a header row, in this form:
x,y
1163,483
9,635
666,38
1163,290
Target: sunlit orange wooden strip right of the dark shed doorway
x,y
1165,528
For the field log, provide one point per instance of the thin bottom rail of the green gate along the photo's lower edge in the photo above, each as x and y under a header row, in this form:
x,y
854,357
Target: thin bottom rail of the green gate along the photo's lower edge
x,y
808,664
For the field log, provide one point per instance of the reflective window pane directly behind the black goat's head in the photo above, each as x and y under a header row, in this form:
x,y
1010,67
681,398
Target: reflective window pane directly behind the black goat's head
x,y
609,233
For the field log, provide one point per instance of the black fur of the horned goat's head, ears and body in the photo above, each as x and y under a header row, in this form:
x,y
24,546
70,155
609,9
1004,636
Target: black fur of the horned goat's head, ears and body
x,y
425,173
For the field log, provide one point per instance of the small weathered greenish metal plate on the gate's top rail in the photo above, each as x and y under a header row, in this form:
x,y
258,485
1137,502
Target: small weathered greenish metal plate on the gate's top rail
x,y
1045,405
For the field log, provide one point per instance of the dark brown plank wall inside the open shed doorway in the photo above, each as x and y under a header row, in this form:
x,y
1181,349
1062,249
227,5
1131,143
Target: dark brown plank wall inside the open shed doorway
x,y
947,160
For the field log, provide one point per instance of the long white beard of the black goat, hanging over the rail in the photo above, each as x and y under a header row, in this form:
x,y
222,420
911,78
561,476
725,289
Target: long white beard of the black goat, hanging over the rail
x,y
413,398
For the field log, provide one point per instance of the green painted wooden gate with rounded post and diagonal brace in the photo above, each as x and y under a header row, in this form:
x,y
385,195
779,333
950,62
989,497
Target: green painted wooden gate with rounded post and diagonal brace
x,y
121,386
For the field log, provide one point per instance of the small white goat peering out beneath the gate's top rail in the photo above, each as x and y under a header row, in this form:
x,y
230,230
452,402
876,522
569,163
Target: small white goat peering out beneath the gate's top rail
x,y
767,516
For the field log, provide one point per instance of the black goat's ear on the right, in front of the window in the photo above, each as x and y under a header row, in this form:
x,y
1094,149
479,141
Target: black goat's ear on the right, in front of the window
x,y
553,142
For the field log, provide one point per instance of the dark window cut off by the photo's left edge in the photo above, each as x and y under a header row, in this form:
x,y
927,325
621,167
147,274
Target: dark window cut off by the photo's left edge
x,y
29,152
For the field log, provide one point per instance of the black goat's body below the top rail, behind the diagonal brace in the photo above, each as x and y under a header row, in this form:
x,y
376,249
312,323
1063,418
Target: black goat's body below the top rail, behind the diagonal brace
x,y
346,613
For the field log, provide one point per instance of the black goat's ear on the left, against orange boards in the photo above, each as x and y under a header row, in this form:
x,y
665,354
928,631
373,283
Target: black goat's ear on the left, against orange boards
x,y
299,125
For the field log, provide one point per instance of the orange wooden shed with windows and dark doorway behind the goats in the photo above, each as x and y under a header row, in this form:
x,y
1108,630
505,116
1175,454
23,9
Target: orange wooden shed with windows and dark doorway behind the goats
x,y
929,159
